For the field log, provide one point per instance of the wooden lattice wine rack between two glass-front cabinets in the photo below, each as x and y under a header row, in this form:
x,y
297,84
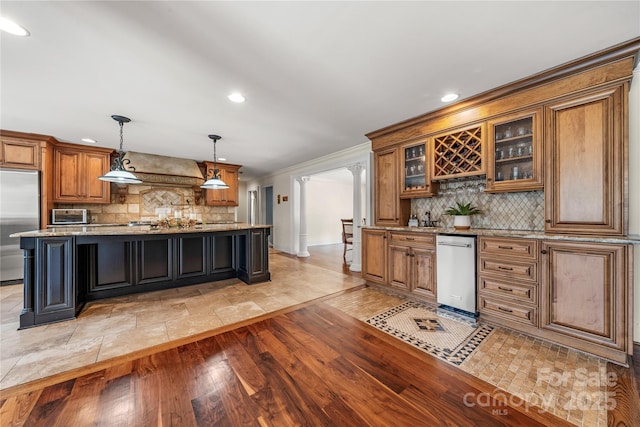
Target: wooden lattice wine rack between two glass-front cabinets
x,y
459,154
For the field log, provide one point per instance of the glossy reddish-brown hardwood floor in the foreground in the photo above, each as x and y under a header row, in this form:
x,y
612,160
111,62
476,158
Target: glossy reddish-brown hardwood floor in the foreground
x,y
312,366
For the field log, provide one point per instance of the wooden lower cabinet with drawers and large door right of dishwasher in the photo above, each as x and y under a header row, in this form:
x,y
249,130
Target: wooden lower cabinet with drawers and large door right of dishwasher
x,y
578,295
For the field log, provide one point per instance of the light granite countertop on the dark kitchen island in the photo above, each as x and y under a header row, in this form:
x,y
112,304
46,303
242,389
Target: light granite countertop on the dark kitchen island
x,y
123,229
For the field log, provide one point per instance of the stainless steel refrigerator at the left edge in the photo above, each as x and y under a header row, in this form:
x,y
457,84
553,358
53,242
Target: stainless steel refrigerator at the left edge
x,y
19,211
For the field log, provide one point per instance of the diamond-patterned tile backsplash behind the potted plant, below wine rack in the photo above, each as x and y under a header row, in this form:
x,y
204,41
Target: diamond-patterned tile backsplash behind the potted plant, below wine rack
x,y
509,211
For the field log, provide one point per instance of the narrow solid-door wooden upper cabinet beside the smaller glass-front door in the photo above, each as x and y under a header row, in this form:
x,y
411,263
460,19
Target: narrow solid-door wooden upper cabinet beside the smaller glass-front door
x,y
389,209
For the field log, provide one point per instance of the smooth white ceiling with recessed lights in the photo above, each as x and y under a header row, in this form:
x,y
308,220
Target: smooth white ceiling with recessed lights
x,y
317,75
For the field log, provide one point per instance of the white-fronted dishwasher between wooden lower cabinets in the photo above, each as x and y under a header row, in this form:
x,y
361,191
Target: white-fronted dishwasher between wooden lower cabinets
x,y
456,272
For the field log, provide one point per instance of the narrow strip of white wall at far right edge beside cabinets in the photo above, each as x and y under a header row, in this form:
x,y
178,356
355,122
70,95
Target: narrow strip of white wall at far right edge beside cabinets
x,y
634,190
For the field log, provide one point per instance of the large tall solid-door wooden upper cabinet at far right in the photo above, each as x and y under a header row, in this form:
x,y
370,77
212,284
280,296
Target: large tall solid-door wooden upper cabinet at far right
x,y
587,163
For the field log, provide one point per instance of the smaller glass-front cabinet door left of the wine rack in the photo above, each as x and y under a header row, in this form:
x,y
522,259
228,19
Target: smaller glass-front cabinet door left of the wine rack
x,y
415,176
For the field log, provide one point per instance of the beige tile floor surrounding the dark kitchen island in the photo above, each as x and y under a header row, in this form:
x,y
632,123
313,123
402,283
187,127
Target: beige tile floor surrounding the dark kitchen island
x,y
118,326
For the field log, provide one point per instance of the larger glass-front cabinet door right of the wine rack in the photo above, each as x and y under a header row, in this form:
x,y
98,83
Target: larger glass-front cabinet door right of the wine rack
x,y
514,153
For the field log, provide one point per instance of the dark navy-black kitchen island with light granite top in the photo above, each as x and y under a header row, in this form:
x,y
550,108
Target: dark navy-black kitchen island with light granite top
x,y
64,267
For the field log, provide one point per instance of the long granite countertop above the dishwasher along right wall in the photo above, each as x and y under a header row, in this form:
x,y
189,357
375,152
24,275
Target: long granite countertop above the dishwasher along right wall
x,y
529,234
